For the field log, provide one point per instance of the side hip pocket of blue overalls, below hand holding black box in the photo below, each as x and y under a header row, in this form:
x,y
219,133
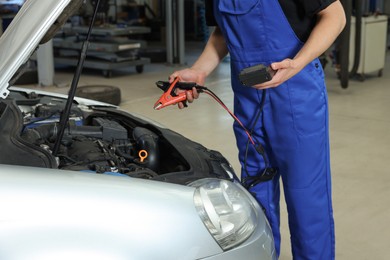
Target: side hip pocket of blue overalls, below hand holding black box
x,y
308,102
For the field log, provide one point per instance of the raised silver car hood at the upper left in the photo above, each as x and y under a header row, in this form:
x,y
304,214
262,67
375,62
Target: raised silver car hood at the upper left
x,y
35,22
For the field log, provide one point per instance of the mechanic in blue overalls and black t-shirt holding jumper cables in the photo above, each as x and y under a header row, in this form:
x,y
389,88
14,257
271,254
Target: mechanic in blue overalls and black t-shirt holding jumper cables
x,y
293,123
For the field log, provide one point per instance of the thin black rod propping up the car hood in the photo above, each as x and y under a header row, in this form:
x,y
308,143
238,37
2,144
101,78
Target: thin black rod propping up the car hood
x,y
66,112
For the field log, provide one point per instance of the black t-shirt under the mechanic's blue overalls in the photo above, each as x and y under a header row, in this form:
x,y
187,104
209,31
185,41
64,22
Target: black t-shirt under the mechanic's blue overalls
x,y
301,14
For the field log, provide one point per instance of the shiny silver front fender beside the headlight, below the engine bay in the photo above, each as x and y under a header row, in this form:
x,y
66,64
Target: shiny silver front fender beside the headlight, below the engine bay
x,y
50,213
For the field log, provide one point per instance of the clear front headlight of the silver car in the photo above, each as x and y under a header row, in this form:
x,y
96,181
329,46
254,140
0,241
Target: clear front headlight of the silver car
x,y
226,210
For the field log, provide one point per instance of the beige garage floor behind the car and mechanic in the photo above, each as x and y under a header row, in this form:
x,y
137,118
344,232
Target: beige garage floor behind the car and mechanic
x,y
360,143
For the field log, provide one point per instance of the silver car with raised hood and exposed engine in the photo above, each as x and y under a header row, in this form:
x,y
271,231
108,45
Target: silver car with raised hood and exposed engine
x,y
119,186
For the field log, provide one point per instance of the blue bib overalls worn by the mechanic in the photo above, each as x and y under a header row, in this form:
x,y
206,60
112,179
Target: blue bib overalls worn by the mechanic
x,y
292,127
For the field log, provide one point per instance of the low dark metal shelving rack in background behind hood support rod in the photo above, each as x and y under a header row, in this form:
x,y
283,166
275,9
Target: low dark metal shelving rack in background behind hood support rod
x,y
110,48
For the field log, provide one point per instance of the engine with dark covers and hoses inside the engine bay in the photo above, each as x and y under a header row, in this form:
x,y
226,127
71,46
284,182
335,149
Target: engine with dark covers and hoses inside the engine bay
x,y
103,146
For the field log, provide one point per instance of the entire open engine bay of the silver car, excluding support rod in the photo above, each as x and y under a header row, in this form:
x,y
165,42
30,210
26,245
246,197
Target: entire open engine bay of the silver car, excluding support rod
x,y
93,141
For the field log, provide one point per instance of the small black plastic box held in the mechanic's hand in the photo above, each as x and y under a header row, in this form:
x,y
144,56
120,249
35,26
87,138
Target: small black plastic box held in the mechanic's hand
x,y
257,74
